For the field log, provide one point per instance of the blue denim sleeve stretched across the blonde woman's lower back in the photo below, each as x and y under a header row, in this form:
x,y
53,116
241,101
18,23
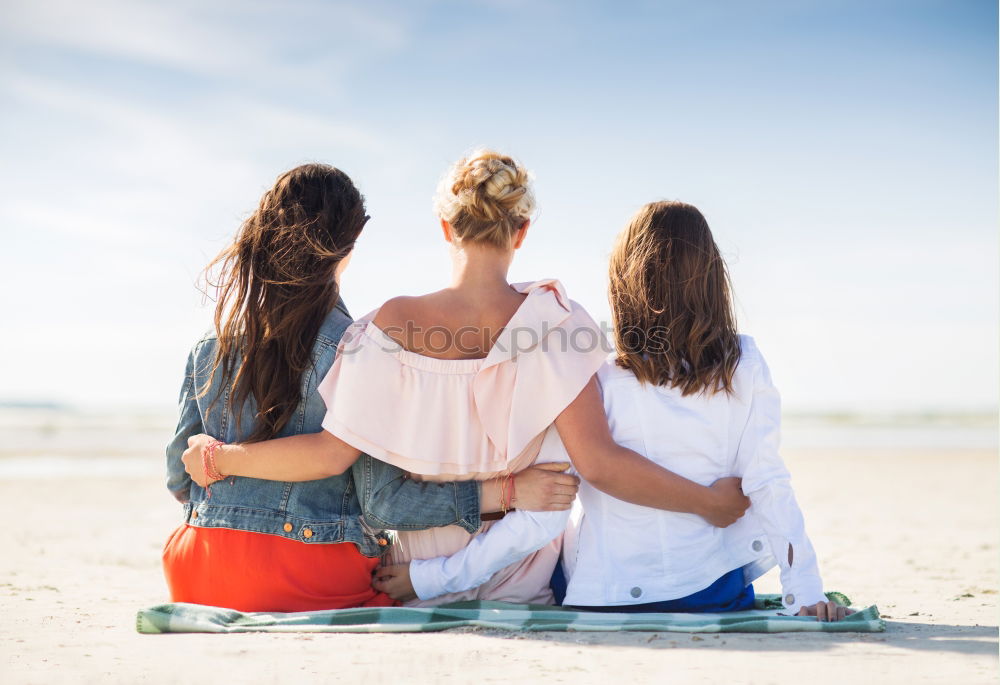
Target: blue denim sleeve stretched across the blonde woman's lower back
x,y
391,499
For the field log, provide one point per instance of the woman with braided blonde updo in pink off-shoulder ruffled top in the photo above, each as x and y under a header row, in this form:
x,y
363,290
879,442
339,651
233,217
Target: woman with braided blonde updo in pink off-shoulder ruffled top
x,y
476,381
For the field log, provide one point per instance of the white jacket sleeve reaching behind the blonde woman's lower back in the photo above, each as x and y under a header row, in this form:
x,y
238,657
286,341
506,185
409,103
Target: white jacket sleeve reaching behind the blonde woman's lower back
x,y
509,540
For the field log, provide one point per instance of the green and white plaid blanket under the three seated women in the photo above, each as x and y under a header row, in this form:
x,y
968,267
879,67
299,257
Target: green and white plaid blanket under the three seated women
x,y
763,618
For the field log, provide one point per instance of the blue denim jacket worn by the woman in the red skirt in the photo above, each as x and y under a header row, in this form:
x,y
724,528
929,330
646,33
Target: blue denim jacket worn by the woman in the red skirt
x,y
354,507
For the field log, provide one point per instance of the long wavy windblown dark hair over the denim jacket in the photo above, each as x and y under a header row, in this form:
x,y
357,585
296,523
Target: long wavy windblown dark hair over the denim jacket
x,y
276,285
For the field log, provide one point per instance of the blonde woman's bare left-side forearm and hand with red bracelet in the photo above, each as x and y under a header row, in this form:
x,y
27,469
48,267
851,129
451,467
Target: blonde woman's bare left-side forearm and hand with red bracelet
x,y
309,456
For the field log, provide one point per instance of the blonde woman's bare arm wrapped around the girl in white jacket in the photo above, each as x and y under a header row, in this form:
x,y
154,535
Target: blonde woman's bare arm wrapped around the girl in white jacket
x,y
629,476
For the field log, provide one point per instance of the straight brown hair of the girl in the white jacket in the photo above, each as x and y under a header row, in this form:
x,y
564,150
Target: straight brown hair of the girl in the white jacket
x,y
671,301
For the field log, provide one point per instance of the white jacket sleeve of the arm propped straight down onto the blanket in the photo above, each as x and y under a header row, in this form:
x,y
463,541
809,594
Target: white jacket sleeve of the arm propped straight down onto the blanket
x,y
767,483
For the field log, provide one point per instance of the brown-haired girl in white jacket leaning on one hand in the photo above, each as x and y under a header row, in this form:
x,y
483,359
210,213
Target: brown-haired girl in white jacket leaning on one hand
x,y
693,396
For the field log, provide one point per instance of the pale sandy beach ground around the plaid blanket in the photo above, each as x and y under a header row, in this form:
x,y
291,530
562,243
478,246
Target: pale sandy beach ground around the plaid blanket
x,y
911,530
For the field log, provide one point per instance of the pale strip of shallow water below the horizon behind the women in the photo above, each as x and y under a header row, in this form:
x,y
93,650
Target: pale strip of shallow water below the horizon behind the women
x,y
55,442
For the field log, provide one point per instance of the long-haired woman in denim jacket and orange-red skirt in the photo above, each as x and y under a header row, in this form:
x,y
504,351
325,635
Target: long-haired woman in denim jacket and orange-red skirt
x,y
272,545
